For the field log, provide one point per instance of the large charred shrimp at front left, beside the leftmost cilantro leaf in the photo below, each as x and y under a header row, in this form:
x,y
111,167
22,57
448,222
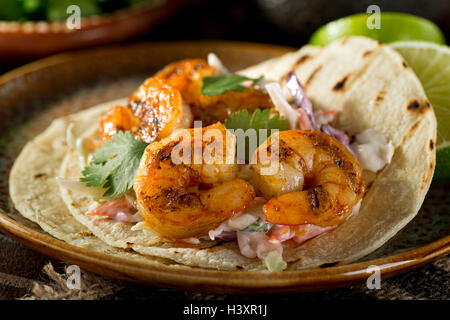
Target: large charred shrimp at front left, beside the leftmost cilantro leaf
x,y
179,199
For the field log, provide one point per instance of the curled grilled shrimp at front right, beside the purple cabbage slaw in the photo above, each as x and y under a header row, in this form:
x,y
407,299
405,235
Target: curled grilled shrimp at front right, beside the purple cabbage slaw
x,y
318,182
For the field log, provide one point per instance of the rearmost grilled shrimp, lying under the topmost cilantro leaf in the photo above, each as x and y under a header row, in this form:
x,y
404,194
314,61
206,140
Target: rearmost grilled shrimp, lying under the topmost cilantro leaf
x,y
187,76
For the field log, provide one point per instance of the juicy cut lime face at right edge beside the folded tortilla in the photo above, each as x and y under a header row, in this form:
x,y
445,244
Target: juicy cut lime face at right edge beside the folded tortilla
x,y
431,63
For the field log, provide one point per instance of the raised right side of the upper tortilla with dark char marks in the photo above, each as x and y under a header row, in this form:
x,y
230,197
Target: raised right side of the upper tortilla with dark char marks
x,y
372,87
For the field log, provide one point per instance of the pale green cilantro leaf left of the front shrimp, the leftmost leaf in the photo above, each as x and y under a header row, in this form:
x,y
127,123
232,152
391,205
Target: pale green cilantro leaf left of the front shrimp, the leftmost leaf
x,y
114,165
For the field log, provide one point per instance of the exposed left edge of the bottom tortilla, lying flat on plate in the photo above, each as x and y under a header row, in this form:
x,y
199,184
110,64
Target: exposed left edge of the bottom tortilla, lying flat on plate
x,y
36,195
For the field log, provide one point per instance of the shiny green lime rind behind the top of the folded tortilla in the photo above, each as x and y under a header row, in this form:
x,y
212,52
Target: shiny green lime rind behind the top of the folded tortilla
x,y
393,27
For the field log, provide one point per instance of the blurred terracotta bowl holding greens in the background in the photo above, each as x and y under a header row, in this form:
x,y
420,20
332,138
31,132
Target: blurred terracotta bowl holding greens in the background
x,y
27,40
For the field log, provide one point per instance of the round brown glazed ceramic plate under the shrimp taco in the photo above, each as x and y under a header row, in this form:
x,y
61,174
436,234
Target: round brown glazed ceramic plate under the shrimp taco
x,y
33,95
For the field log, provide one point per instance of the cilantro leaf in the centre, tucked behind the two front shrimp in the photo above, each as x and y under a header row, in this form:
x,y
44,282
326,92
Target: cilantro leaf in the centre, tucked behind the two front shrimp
x,y
259,120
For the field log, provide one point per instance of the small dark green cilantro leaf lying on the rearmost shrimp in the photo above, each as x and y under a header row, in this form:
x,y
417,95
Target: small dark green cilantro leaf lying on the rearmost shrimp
x,y
212,86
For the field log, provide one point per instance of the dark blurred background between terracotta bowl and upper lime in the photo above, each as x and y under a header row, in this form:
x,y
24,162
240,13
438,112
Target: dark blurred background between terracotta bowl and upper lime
x,y
284,22
